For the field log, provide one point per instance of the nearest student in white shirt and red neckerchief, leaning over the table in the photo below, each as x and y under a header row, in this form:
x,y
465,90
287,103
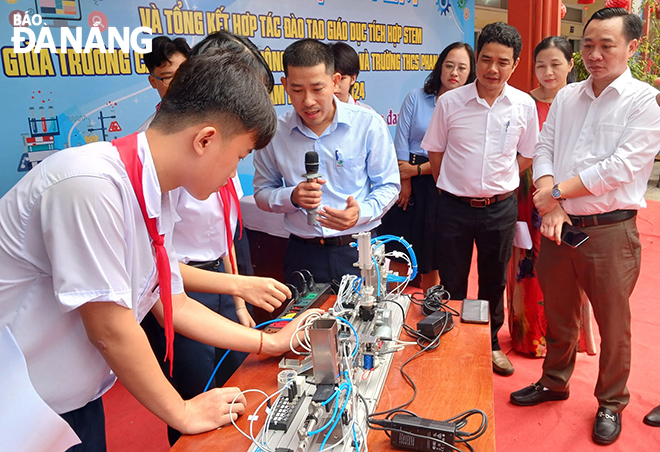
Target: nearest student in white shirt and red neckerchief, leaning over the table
x,y
78,262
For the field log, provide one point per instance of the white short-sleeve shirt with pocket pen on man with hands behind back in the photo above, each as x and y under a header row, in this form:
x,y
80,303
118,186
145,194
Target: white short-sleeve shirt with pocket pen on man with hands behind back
x,y
481,142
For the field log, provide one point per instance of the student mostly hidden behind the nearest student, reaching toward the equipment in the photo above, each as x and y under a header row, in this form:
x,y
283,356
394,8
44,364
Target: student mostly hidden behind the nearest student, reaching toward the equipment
x,y
203,239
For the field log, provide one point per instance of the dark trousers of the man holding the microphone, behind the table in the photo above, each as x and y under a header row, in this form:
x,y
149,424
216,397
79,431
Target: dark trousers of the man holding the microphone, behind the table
x,y
327,264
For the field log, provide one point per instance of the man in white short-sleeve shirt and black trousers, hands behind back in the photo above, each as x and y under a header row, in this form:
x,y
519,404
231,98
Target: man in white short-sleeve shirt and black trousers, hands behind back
x,y
480,137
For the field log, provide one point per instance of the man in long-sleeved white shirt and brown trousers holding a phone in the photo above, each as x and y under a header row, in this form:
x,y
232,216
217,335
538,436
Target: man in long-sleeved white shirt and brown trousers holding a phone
x,y
591,166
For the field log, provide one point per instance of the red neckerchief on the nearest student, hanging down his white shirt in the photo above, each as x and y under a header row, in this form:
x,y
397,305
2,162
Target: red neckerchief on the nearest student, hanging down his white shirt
x,y
127,148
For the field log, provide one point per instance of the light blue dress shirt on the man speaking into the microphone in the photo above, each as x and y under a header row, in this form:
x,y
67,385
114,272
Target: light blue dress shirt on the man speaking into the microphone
x,y
356,158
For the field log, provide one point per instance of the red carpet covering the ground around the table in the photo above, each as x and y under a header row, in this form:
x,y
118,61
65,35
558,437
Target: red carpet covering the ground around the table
x,y
551,427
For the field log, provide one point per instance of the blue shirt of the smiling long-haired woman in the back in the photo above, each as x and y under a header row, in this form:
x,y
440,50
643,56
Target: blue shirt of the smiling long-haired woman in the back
x,y
414,119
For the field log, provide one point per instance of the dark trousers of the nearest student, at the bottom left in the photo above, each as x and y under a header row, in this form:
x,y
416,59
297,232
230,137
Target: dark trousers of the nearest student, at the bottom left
x,y
89,424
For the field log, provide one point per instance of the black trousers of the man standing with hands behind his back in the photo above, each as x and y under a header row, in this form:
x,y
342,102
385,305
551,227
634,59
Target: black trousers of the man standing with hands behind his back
x,y
492,229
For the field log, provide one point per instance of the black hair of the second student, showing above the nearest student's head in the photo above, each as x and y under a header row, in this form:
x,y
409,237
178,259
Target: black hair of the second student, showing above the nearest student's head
x,y
240,46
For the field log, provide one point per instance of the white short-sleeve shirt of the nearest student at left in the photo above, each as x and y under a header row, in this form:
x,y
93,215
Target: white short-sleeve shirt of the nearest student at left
x,y
71,232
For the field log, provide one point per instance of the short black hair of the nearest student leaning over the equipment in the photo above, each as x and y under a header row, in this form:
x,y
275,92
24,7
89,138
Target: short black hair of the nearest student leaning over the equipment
x,y
218,88
